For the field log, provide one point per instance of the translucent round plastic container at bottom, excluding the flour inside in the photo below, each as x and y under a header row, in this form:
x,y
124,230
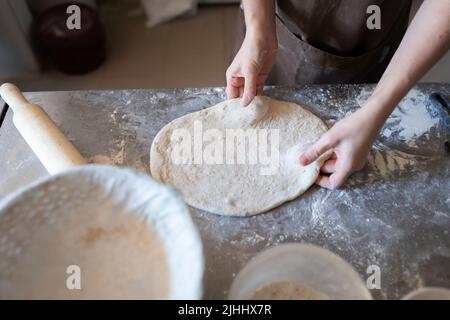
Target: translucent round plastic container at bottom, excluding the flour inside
x,y
310,266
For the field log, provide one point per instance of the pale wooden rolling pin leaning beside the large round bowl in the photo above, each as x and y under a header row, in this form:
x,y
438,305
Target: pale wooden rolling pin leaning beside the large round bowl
x,y
49,144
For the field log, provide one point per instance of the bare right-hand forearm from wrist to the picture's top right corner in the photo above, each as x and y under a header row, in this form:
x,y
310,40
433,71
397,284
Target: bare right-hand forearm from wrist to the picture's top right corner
x,y
425,42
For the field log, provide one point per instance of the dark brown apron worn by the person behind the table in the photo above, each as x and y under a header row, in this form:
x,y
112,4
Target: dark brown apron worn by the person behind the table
x,y
327,41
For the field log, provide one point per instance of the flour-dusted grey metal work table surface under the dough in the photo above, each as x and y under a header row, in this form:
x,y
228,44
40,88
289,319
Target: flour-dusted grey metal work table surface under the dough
x,y
394,214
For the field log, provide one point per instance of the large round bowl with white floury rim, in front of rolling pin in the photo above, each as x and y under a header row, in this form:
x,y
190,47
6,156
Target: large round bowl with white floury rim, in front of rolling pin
x,y
129,236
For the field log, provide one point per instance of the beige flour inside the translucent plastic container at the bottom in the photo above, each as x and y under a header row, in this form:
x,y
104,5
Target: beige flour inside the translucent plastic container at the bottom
x,y
287,291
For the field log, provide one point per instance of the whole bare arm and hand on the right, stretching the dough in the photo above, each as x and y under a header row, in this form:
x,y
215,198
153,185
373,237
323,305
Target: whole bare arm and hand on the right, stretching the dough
x,y
425,42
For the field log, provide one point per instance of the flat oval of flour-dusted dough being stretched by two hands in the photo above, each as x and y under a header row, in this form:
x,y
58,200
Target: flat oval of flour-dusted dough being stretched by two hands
x,y
187,153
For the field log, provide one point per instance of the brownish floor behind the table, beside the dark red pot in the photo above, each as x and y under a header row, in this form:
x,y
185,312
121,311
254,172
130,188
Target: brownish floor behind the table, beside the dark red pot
x,y
187,52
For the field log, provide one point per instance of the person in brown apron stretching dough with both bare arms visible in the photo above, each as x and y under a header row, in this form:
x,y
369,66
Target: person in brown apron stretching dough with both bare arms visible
x,y
289,42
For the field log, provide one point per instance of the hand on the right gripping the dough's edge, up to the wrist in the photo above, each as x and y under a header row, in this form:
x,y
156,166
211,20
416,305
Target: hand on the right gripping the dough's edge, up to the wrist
x,y
350,139
